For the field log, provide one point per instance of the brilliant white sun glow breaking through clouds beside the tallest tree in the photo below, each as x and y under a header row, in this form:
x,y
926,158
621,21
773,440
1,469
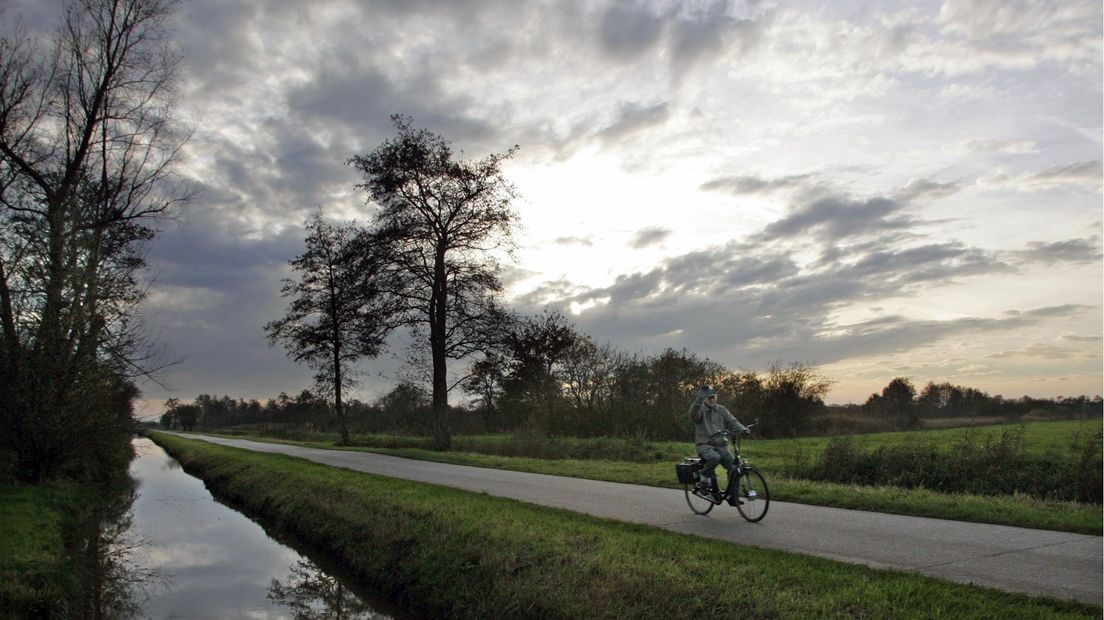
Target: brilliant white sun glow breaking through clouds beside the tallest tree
x,y
581,220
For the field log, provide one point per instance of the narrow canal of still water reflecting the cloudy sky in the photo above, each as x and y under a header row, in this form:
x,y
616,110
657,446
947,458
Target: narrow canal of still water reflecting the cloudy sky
x,y
197,559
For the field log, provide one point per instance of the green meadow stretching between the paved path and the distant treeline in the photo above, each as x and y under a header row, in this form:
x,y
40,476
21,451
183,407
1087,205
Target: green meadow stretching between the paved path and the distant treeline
x,y
788,464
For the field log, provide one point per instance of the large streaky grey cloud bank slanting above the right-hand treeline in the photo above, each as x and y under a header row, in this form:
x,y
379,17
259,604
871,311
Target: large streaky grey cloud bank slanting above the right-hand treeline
x,y
752,303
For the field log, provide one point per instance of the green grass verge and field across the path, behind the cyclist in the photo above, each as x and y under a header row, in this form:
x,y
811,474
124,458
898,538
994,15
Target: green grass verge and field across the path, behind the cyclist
x,y
774,457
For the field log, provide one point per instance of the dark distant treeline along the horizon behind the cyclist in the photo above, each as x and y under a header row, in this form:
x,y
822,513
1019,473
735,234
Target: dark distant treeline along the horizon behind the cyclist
x,y
593,391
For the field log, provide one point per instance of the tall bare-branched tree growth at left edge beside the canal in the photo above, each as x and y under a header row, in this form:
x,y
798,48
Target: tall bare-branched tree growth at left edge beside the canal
x,y
88,148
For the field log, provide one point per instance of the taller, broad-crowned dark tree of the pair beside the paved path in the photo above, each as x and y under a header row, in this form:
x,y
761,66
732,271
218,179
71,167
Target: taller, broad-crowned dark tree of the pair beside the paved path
x,y
441,218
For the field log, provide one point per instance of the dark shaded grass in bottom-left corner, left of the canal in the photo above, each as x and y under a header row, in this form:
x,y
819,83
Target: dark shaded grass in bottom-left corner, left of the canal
x,y
34,521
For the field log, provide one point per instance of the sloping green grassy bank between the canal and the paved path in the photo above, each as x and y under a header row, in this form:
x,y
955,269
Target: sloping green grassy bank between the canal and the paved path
x,y
449,553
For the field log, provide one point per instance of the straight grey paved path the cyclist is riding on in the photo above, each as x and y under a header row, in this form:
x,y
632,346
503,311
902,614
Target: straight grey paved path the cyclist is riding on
x,y
1011,559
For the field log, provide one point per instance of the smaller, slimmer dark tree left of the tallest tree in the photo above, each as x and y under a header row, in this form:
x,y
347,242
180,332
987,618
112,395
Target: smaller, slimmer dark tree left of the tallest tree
x,y
335,315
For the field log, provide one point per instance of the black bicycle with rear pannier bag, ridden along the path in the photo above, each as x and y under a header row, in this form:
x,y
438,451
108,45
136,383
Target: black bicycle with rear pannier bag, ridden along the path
x,y
747,488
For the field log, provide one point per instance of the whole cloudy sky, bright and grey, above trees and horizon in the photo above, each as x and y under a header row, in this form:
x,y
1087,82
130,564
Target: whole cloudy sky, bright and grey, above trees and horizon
x,y
880,189
